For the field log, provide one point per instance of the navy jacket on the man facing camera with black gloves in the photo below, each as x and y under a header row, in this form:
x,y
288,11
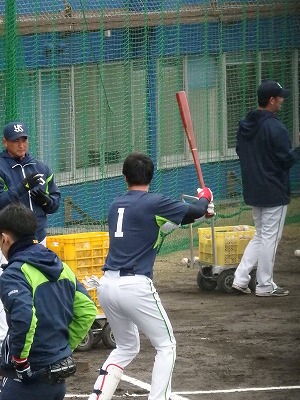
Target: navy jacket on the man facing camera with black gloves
x,y
12,173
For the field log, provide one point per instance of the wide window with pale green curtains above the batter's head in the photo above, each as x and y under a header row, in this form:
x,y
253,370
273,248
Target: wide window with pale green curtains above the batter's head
x,y
90,117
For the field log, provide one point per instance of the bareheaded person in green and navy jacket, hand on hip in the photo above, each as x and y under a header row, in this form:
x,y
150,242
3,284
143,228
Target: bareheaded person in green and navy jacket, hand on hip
x,y
48,312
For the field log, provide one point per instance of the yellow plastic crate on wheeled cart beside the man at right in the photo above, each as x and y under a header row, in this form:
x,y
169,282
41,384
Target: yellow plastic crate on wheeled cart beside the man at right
x,y
230,242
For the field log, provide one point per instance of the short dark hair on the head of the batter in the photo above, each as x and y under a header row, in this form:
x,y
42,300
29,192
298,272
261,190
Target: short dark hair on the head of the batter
x,y
138,169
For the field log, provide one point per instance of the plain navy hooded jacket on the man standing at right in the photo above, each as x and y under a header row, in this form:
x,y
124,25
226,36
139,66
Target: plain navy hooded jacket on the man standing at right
x,y
266,156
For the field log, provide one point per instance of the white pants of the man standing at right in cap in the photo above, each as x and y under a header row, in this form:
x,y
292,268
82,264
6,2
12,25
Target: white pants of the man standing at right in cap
x,y
261,250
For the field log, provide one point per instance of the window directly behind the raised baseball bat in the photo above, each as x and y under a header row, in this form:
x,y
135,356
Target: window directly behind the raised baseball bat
x,y
201,87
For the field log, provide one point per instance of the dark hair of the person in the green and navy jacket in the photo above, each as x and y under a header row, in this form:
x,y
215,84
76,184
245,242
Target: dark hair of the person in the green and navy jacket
x,y
18,220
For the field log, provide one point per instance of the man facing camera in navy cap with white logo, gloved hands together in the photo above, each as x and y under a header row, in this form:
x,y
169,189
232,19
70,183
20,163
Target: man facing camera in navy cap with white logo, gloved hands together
x,y
16,164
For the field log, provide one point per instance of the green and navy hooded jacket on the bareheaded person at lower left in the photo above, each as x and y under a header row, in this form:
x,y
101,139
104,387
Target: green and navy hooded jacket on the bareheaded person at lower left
x,y
48,310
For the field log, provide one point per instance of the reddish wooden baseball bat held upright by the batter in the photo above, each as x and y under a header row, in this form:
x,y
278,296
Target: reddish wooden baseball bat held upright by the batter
x,y
189,131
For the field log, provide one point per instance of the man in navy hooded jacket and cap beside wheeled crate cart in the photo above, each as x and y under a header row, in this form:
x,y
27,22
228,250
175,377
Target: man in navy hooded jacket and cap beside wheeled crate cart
x,y
266,156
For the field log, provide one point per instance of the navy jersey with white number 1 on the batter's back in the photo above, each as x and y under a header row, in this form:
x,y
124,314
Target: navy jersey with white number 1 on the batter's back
x,y
134,221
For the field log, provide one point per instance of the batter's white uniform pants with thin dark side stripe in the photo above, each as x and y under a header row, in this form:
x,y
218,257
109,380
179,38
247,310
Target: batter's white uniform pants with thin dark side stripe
x,y
132,304
